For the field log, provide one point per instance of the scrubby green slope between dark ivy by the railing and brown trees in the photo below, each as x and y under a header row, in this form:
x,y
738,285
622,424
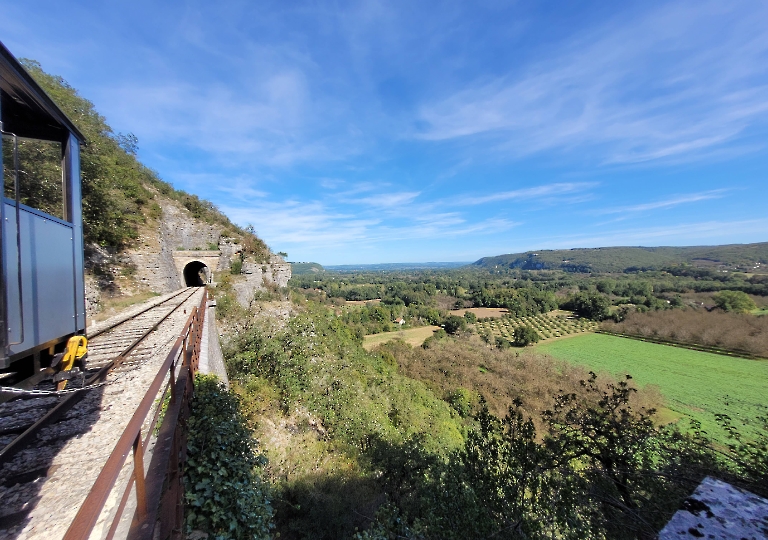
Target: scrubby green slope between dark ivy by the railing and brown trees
x,y
314,374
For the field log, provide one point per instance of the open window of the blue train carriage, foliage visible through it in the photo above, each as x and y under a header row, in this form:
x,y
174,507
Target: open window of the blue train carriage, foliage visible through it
x,y
41,184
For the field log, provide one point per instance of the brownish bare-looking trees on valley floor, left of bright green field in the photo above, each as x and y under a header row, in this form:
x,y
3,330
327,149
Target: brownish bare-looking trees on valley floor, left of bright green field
x,y
500,375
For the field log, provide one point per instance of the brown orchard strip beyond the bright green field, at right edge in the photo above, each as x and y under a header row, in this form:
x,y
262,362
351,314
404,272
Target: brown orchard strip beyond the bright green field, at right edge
x,y
739,332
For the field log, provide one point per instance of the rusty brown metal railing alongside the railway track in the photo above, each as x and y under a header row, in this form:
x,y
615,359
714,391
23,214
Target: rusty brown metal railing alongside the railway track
x,y
159,492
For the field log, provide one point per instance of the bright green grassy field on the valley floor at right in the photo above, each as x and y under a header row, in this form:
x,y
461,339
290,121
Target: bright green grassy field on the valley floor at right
x,y
695,384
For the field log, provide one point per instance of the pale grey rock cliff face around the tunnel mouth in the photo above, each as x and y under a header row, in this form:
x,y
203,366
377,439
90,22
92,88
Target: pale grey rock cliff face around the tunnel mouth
x,y
155,262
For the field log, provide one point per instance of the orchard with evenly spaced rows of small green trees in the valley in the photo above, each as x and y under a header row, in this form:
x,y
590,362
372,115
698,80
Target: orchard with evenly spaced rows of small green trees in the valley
x,y
548,325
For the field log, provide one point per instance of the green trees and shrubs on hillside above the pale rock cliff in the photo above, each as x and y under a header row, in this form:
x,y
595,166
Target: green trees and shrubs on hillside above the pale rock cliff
x,y
119,192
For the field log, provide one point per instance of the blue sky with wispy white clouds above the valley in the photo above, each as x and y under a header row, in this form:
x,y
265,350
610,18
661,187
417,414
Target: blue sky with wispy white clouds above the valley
x,y
364,132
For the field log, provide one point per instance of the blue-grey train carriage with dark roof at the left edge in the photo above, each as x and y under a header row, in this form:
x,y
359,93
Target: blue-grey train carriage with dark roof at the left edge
x,y
42,301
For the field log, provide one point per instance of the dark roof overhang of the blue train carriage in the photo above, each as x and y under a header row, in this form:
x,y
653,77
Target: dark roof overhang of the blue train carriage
x,y
26,109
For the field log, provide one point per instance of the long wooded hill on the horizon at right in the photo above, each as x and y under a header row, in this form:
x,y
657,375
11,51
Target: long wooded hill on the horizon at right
x,y
619,259
